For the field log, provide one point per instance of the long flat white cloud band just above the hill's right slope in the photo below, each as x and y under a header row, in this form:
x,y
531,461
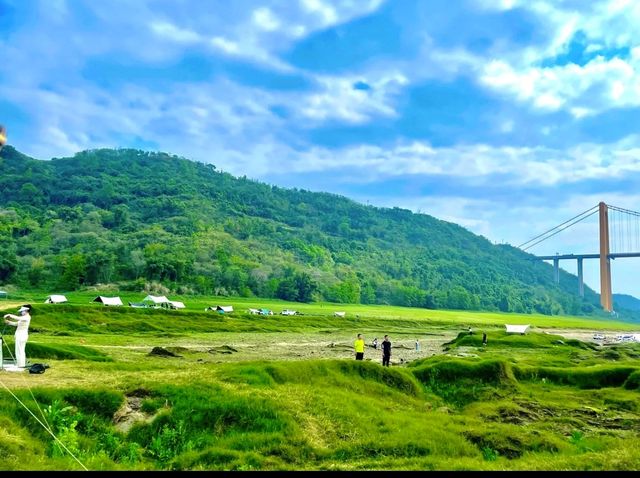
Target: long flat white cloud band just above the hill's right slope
x,y
479,163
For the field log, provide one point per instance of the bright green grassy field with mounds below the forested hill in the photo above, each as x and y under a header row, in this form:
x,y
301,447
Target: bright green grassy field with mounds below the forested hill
x,y
145,389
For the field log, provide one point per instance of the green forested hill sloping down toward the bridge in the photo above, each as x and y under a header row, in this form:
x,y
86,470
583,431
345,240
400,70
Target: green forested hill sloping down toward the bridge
x,y
132,218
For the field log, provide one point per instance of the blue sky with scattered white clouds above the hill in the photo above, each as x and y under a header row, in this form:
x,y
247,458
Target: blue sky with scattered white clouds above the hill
x,y
507,117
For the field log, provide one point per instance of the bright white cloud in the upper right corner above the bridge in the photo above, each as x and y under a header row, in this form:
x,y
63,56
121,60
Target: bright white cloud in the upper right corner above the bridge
x,y
600,84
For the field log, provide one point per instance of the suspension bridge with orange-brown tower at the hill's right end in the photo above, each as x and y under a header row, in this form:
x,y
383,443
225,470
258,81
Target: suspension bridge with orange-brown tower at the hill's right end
x,y
619,238
